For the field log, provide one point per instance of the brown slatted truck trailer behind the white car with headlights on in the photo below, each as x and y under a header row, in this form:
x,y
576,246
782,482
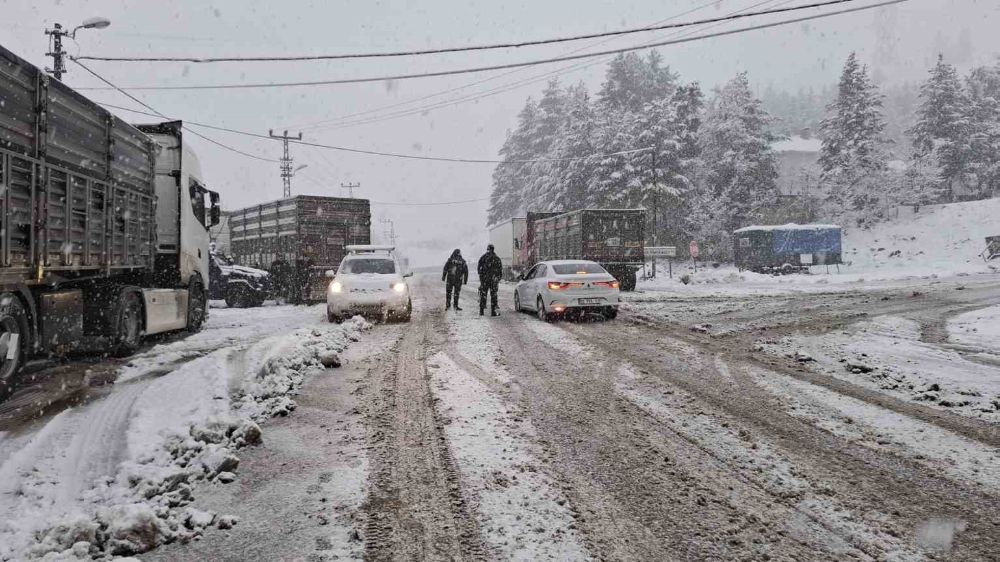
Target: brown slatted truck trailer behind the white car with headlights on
x,y
308,233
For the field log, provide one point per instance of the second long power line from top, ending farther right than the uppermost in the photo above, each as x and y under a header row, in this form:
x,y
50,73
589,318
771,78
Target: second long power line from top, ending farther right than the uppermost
x,y
472,70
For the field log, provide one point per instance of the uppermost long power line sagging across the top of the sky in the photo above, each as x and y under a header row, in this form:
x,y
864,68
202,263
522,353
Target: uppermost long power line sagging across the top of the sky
x,y
443,50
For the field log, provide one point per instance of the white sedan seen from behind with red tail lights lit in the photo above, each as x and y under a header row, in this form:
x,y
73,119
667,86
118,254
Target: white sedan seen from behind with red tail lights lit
x,y
558,288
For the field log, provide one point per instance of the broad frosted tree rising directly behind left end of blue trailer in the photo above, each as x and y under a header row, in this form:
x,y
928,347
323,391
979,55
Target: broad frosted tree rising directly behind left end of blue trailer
x,y
739,175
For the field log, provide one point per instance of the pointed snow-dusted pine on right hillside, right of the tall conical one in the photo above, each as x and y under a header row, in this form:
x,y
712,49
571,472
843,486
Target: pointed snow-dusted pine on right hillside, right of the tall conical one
x,y
943,129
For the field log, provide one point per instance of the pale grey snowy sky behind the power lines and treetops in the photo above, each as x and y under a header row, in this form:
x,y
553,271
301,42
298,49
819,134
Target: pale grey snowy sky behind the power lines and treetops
x,y
899,42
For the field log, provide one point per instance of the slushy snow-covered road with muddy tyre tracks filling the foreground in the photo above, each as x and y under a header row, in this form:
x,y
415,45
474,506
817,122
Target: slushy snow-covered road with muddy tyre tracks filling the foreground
x,y
692,428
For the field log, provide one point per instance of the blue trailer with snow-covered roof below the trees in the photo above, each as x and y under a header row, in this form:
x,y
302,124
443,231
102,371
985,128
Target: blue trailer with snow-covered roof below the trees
x,y
786,248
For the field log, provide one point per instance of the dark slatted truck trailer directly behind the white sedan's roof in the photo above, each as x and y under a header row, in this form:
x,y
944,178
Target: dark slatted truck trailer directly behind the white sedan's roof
x,y
613,238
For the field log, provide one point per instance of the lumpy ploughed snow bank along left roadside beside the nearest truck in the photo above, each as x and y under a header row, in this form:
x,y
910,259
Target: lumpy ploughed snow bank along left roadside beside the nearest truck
x,y
115,477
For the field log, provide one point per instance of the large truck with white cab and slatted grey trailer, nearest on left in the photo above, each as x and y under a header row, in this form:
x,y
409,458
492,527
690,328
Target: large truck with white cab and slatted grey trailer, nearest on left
x,y
105,225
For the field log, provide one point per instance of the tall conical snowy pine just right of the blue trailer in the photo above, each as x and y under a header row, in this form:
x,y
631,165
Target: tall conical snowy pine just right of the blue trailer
x,y
853,156
